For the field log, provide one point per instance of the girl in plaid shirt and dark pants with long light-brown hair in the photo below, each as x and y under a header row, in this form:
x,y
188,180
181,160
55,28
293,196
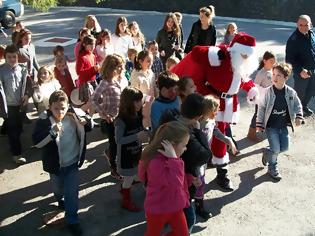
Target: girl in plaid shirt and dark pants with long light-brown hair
x,y
106,99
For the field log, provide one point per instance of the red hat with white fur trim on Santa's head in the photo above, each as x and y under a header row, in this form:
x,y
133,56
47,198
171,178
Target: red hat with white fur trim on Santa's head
x,y
243,43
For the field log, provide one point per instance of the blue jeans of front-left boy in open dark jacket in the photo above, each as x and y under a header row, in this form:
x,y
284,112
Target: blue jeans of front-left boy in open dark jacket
x,y
66,184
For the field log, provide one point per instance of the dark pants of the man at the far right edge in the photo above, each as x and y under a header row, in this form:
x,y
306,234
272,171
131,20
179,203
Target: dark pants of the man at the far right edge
x,y
305,88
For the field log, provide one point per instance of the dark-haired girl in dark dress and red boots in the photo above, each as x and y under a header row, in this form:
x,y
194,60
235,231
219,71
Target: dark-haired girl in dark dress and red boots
x,y
129,135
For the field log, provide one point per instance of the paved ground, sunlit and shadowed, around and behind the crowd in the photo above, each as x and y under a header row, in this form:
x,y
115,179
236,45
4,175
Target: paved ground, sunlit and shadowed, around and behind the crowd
x,y
25,191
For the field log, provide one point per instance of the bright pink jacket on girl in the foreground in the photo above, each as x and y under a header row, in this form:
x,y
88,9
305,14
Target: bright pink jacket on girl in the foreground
x,y
167,189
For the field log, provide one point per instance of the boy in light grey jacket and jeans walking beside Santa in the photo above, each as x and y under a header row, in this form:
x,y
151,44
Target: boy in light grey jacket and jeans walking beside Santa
x,y
280,108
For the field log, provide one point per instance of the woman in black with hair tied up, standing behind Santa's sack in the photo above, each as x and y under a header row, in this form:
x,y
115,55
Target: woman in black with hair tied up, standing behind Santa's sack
x,y
203,32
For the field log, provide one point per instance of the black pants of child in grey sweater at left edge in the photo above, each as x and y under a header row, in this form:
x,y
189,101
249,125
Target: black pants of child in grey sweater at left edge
x,y
14,127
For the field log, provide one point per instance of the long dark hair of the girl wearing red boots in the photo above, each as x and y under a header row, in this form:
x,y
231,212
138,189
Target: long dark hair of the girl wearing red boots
x,y
127,98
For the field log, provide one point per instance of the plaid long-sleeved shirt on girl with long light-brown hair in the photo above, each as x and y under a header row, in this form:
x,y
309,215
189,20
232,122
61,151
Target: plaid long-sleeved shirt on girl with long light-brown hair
x,y
106,98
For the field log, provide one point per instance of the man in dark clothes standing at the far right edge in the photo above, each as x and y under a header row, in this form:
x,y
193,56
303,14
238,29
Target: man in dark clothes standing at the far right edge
x,y
300,52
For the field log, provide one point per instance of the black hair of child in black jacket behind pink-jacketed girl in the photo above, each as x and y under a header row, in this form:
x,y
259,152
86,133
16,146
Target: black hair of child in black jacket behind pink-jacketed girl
x,y
193,106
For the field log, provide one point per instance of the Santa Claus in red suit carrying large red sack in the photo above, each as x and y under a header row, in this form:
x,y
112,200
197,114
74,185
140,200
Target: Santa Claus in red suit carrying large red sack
x,y
221,71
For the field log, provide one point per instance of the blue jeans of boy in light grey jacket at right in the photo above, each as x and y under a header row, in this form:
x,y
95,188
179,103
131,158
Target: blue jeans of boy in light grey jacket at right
x,y
278,142
